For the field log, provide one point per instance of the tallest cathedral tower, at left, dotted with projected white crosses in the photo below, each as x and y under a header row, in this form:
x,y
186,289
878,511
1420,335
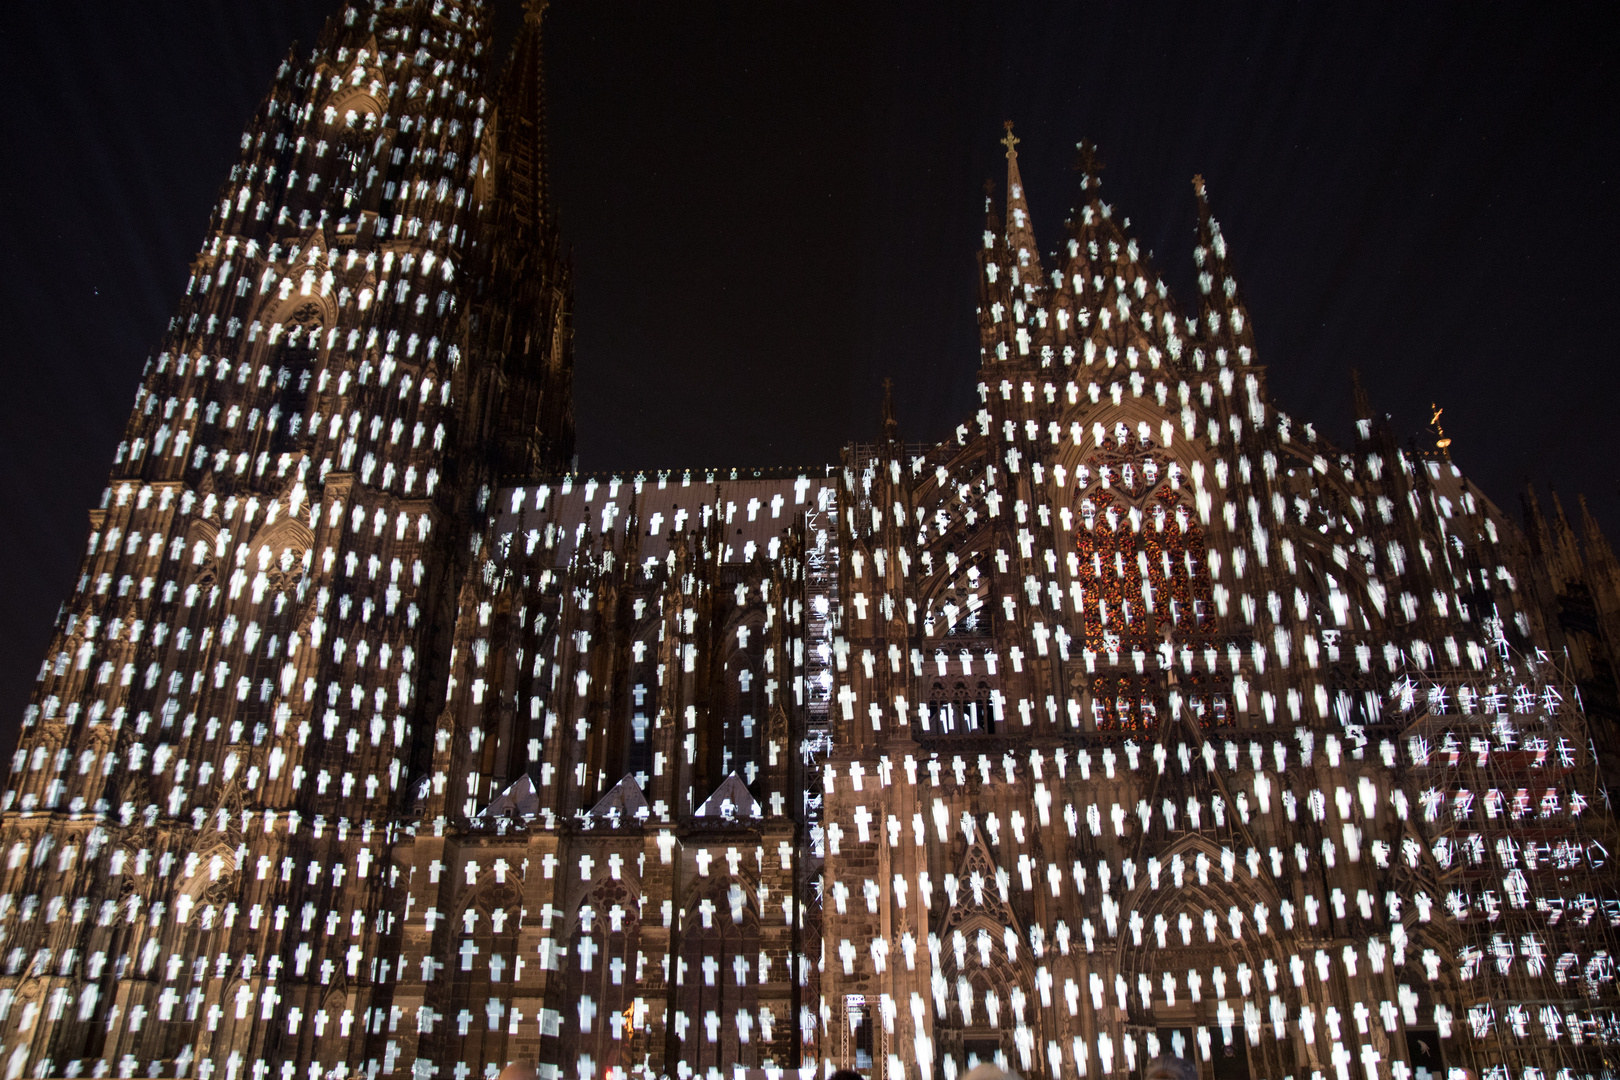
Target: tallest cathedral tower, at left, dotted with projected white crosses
x,y
247,674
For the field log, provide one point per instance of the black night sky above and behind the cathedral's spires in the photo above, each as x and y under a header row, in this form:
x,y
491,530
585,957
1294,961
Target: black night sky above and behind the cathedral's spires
x,y
774,206
